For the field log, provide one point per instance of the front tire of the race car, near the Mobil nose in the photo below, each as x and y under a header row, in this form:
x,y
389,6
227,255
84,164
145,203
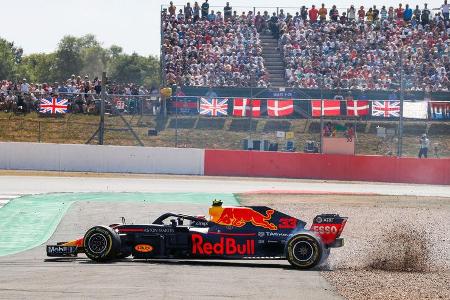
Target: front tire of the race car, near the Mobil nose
x,y
101,243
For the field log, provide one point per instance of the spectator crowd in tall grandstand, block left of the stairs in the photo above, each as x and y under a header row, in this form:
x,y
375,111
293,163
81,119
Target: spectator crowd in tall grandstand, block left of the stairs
x,y
204,48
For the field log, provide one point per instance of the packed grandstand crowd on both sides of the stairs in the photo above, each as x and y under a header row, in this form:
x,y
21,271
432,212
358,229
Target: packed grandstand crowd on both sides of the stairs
x,y
358,48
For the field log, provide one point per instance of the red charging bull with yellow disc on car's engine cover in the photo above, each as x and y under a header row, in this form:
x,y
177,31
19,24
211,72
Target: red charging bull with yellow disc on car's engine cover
x,y
239,216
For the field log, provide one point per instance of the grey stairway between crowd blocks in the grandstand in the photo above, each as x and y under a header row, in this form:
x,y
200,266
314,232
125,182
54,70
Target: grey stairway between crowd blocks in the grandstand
x,y
272,60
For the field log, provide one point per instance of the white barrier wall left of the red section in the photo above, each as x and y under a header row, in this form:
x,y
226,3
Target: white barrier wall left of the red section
x,y
96,158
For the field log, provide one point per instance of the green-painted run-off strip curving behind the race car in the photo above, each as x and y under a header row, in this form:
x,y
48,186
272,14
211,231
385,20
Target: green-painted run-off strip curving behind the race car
x,y
29,221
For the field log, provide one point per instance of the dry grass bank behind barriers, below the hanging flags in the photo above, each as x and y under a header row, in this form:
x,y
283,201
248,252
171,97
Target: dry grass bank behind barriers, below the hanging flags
x,y
77,129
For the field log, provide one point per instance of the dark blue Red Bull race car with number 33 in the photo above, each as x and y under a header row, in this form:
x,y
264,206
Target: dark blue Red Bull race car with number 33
x,y
231,232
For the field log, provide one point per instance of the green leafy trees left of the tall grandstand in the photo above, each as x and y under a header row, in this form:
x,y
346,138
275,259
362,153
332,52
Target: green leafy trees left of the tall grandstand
x,y
79,56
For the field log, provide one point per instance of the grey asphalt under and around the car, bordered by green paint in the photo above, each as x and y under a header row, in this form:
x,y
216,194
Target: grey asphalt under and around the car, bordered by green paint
x,y
32,275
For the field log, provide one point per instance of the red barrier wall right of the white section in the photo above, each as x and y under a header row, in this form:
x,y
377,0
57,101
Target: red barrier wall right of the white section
x,y
327,166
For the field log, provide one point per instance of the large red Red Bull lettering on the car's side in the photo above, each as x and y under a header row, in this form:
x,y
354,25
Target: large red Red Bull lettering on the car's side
x,y
226,246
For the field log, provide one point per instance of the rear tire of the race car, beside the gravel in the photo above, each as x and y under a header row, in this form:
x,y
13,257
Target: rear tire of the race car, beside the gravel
x,y
304,251
